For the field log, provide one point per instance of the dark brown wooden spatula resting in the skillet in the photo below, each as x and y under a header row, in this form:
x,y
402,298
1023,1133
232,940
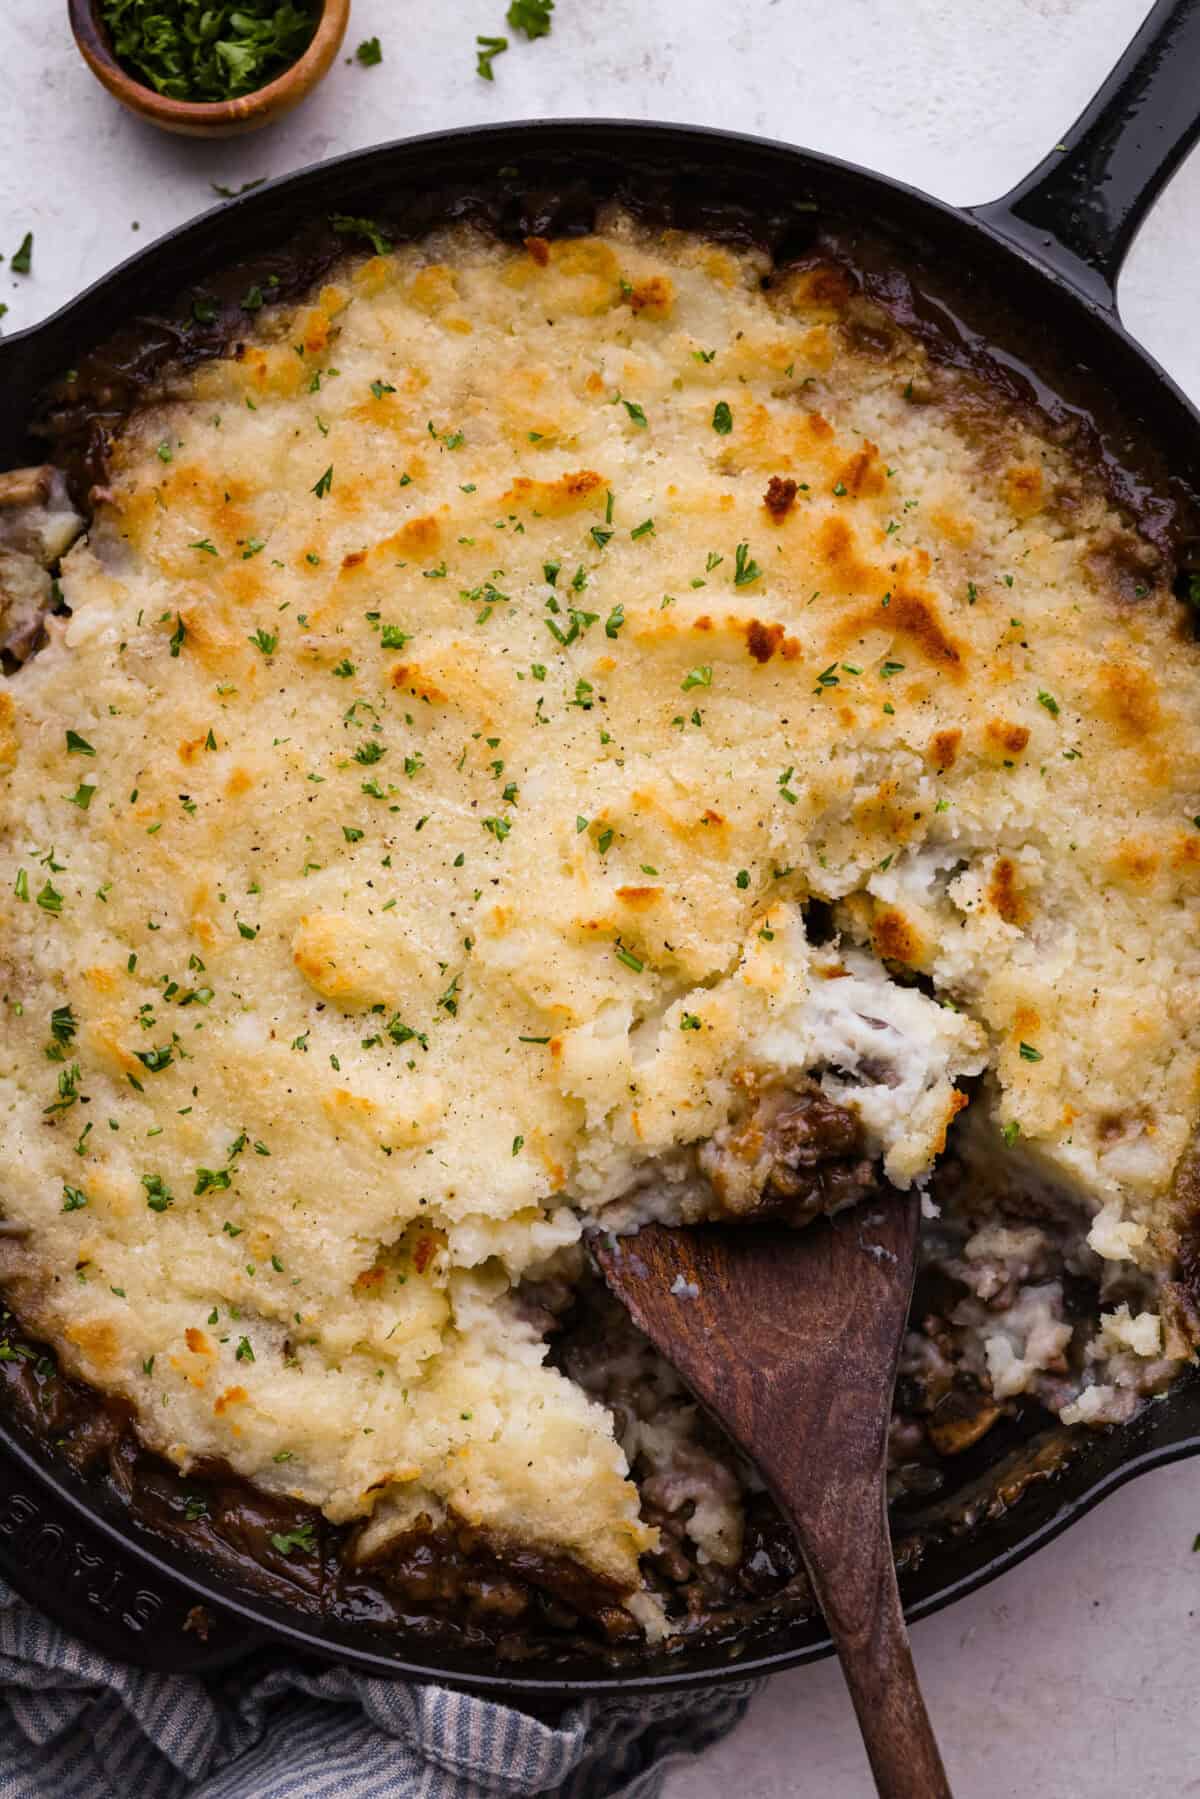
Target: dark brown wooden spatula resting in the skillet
x,y
793,1338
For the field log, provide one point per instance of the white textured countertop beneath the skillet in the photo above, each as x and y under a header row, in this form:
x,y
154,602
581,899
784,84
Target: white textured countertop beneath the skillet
x,y
1073,1676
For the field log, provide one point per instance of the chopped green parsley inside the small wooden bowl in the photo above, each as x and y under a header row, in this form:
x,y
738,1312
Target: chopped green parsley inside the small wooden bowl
x,y
199,51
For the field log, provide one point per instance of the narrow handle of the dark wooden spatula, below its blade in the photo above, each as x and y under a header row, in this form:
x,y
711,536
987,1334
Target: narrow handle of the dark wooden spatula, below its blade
x,y
855,1582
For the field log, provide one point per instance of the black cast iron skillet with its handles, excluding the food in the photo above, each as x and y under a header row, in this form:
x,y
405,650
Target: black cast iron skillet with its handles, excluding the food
x,y
1048,260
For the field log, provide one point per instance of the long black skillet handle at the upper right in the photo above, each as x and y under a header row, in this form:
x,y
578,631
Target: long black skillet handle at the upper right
x,y
1080,210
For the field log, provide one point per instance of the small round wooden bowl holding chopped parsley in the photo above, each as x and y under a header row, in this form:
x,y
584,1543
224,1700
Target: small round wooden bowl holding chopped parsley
x,y
249,112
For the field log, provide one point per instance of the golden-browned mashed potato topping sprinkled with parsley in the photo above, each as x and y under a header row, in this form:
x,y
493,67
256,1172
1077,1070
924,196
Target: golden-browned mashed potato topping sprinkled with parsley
x,y
406,839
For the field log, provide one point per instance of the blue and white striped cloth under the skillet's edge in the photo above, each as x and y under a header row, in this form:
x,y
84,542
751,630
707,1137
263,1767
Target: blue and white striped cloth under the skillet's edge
x,y
78,1726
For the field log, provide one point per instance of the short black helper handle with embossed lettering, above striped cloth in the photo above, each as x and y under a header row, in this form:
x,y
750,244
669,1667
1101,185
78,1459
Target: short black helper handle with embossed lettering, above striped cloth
x,y
91,1584
